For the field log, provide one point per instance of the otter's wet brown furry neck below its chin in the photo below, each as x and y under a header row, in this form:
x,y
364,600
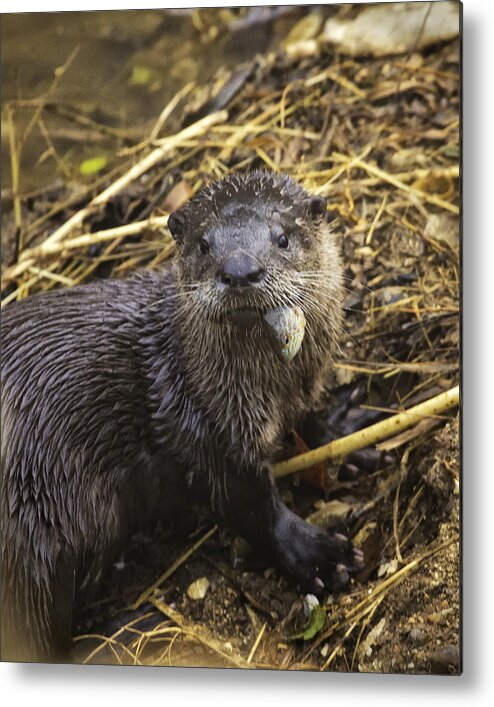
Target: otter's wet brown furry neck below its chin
x,y
250,397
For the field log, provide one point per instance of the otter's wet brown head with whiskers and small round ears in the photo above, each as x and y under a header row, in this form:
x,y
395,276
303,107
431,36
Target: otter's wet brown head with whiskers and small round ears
x,y
255,241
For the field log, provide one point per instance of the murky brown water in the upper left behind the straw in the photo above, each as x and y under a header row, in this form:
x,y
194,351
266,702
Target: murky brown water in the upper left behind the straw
x,y
127,67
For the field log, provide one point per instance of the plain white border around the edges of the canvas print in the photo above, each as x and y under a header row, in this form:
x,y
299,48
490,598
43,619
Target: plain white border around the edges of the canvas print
x,y
141,687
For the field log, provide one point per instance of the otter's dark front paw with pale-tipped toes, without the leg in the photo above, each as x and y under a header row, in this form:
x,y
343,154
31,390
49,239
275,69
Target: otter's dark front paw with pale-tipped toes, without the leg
x,y
318,559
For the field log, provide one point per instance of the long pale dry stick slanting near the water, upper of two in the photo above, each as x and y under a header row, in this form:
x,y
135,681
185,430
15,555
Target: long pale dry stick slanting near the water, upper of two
x,y
152,159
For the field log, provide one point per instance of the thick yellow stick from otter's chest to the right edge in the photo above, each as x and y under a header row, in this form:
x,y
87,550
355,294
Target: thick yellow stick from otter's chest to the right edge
x,y
340,448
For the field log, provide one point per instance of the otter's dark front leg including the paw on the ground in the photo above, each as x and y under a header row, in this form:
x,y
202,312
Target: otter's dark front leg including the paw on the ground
x,y
316,558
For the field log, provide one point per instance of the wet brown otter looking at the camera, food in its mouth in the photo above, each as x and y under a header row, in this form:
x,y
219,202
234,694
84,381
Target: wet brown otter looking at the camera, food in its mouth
x,y
116,391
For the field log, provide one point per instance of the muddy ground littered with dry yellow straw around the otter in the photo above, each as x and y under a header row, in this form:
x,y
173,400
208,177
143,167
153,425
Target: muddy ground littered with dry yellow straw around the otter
x,y
396,215
